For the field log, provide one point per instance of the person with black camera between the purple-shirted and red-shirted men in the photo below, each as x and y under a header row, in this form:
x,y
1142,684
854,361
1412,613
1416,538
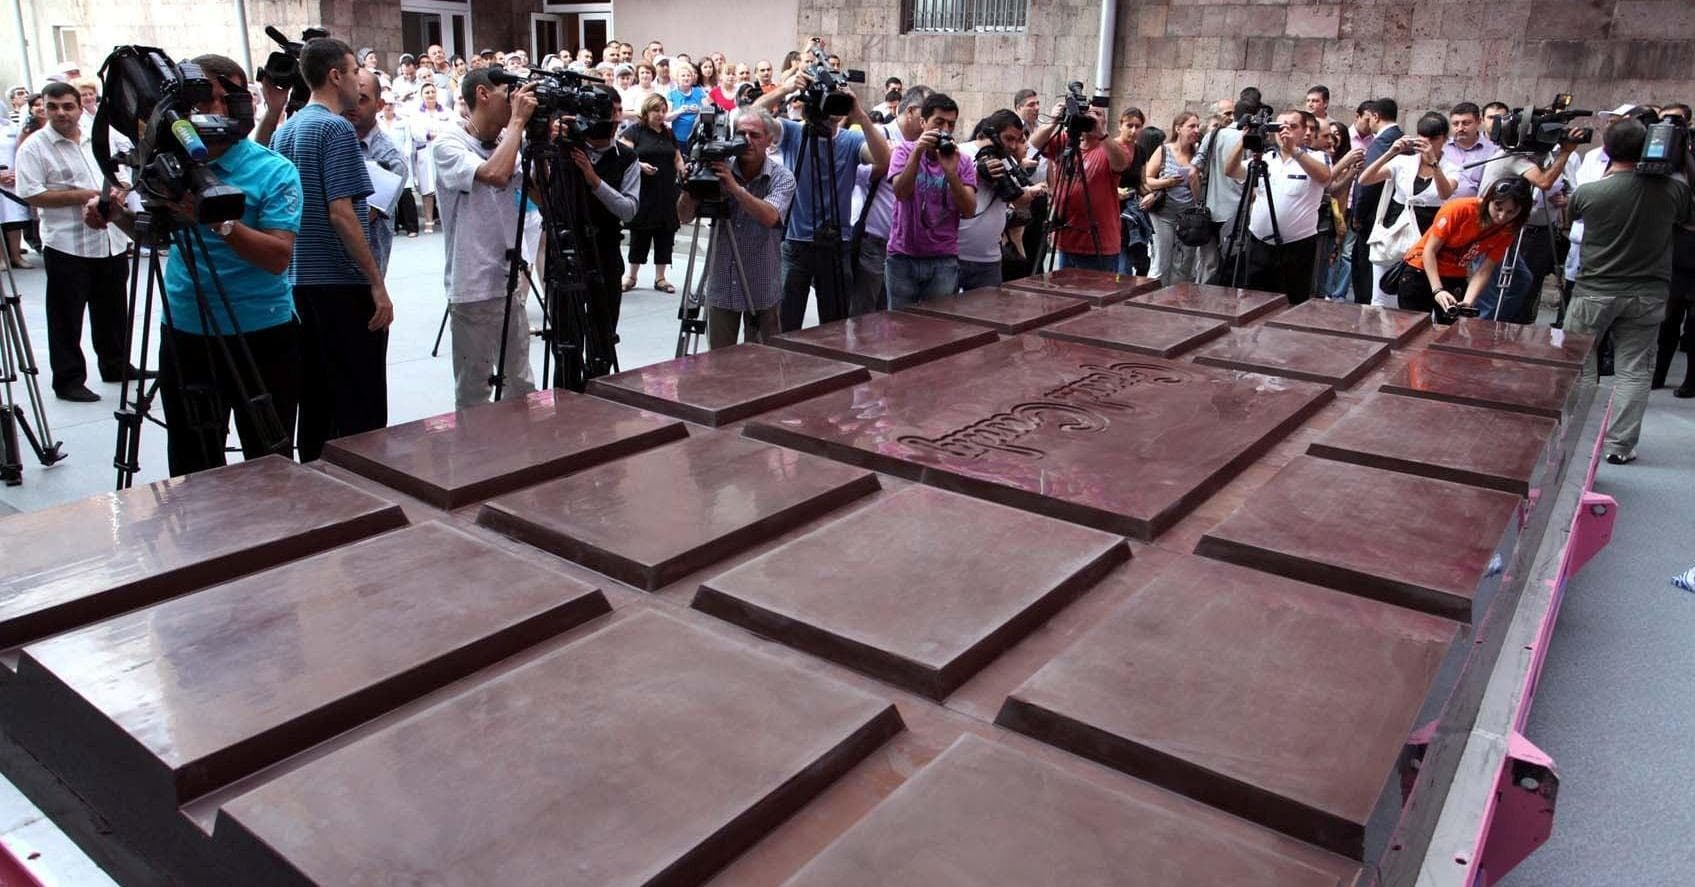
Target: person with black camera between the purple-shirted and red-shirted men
x,y
998,138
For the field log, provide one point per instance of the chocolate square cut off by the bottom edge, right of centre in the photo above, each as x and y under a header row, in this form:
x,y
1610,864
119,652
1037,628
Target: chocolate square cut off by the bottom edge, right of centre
x,y
987,815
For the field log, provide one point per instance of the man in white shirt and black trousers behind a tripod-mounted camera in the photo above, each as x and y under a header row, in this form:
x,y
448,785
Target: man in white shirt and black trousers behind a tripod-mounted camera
x,y
1281,259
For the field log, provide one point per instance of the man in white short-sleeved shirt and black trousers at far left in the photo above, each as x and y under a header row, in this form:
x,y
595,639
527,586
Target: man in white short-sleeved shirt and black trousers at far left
x,y
87,269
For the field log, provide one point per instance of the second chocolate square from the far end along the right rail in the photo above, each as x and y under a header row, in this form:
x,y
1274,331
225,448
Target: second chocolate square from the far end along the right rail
x,y
1482,382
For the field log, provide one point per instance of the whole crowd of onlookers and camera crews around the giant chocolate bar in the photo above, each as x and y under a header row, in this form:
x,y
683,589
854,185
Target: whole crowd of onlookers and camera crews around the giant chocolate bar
x,y
862,208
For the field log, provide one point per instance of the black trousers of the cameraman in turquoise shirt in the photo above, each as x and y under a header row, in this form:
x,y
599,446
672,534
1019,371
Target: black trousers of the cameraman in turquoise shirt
x,y
199,393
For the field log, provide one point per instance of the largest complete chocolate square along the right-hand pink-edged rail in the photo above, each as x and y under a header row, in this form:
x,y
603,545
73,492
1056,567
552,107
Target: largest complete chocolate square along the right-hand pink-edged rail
x,y
1204,683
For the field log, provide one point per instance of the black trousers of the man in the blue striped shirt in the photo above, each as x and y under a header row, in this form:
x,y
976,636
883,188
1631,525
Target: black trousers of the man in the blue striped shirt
x,y
343,365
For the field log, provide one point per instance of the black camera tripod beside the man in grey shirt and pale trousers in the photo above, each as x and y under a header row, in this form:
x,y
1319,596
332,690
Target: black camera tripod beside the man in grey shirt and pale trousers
x,y
577,323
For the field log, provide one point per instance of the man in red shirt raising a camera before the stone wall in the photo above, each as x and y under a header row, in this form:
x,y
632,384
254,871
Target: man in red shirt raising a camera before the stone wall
x,y
1089,209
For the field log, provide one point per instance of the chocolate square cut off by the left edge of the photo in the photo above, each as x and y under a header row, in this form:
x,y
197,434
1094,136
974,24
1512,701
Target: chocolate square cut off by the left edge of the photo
x,y
116,552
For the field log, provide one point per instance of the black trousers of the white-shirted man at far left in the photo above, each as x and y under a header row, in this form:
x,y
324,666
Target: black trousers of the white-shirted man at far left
x,y
101,287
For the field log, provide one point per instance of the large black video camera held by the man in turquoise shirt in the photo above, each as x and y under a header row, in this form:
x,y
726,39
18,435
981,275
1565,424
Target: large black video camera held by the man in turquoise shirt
x,y
152,99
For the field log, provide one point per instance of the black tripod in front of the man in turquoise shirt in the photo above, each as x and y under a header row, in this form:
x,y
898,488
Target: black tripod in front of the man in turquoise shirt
x,y
203,404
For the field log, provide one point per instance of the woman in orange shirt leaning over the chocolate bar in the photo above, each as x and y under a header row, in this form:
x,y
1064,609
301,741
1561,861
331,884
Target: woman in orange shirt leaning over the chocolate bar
x,y
1464,245
